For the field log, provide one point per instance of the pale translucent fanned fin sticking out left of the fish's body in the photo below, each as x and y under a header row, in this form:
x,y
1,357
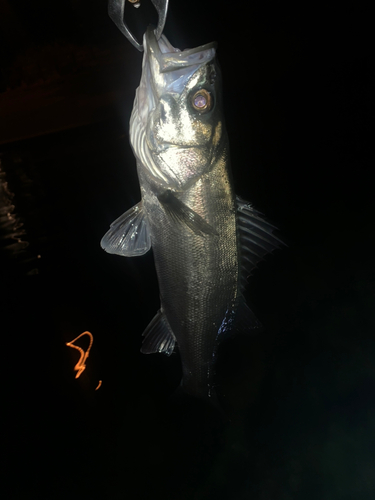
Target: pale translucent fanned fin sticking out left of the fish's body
x,y
129,234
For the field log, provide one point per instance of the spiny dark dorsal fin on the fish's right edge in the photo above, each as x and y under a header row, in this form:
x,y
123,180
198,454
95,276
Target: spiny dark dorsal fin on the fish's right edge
x,y
256,238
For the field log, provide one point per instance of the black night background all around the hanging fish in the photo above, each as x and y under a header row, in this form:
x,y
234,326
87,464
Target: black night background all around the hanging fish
x,y
299,108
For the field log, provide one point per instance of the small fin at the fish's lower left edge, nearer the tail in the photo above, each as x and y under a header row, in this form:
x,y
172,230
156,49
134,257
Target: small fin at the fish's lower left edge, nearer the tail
x,y
158,336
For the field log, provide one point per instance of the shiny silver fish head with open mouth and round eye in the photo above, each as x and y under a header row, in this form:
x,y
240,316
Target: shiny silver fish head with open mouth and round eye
x,y
179,109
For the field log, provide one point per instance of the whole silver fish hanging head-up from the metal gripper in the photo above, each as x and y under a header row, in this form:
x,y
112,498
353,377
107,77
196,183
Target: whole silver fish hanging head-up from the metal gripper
x,y
206,240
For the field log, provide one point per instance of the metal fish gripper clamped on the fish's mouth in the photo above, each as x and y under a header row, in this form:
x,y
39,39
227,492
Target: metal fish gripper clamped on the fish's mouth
x,y
116,10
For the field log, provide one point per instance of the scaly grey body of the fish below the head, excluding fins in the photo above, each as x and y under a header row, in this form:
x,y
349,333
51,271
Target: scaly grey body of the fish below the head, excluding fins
x,y
207,264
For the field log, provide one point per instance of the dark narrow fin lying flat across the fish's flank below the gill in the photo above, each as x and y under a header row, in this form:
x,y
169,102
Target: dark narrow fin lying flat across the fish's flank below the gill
x,y
182,214
